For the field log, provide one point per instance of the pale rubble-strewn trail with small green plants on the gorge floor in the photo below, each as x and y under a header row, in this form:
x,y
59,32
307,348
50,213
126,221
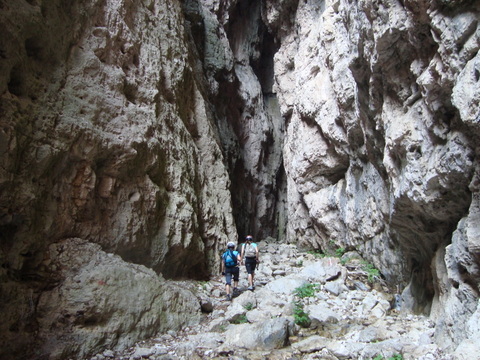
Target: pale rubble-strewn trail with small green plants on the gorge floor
x,y
303,307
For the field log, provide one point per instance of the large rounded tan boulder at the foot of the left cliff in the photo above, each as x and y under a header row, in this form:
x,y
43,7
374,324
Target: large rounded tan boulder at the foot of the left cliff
x,y
99,296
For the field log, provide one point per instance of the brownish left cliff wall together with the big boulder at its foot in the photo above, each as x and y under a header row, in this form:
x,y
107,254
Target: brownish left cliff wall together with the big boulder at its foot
x,y
106,136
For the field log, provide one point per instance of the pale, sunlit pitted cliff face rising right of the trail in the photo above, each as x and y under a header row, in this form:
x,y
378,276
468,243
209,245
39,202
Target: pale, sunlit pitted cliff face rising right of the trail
x,y
381,100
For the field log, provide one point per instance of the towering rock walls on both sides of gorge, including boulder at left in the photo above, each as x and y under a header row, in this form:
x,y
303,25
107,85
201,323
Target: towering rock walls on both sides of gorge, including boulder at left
x,y
138,137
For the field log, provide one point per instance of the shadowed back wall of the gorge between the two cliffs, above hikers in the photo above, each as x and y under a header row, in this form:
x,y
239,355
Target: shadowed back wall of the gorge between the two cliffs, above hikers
x,y
238,62
